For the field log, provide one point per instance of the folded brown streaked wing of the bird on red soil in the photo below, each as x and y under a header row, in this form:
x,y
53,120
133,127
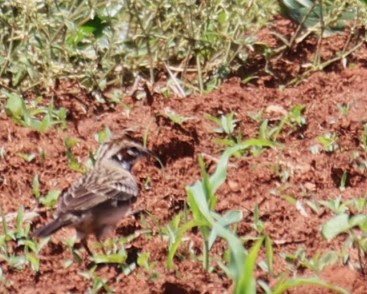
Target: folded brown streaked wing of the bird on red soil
x,y
96,188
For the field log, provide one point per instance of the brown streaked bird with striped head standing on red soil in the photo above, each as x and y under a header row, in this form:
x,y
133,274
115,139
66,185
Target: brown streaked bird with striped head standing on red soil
x,y
95,203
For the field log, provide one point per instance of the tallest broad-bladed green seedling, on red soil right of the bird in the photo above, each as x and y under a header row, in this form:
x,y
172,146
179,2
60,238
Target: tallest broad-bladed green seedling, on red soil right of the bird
x,y
202,203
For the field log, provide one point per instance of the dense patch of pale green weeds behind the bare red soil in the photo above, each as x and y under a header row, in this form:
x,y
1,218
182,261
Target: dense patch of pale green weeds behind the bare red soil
x,y
100,44
